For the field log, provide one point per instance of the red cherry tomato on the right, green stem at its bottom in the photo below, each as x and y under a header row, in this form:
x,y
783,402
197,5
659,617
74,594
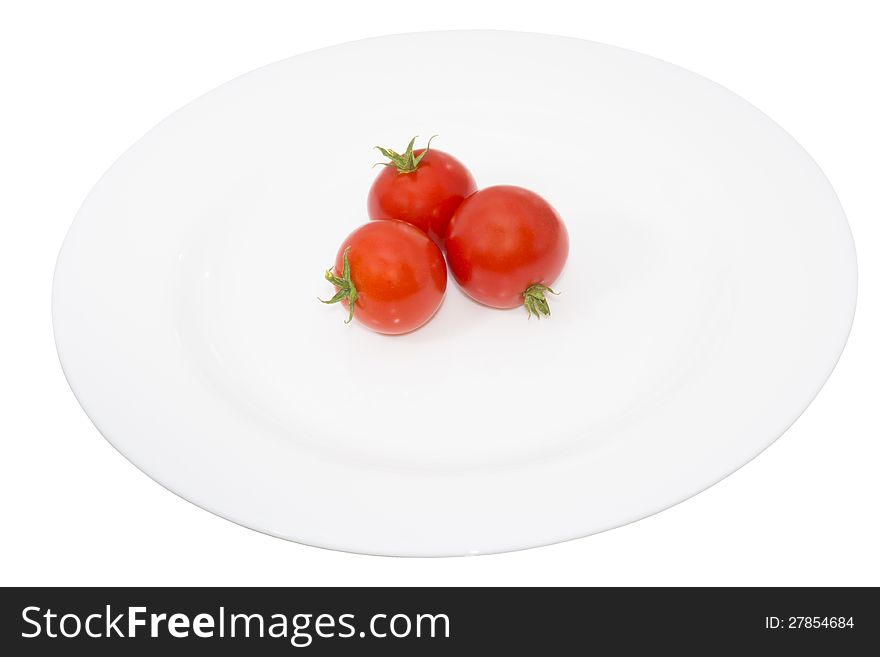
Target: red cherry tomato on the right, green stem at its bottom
x,y
506,246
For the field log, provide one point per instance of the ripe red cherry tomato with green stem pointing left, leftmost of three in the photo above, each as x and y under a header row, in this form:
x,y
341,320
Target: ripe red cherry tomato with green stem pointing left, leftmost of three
x,y
389,276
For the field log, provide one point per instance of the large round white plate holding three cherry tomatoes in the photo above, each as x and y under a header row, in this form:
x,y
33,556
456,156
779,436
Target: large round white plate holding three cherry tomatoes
x,y
709,292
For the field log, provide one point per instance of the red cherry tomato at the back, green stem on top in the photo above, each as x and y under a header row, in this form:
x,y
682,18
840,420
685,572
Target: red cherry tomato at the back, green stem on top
x,y
422,187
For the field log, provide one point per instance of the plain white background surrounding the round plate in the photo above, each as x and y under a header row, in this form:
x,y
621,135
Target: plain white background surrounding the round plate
x,y
82,81
